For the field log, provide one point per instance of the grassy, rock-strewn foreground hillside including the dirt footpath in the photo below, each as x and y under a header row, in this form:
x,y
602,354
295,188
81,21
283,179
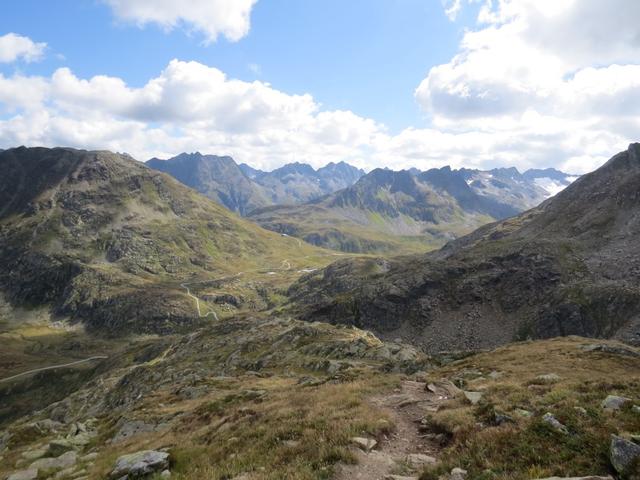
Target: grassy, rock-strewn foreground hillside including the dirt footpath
x,y
257,399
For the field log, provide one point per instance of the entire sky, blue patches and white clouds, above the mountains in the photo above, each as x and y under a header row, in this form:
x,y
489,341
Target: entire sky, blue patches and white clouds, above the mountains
x,y
376,83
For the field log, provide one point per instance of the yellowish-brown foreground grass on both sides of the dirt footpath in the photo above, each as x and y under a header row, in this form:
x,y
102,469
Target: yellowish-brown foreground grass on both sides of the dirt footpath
x,y
273,425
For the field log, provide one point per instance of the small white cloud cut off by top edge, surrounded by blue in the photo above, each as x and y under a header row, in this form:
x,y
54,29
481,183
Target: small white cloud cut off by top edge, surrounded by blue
x,y
212,18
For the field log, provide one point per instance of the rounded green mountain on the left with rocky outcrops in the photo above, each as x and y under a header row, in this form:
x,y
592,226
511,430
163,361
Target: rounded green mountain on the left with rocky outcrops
x,y
104,240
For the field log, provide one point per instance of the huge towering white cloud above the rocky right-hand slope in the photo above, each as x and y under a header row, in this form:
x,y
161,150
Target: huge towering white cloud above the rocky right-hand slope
x,y
549,81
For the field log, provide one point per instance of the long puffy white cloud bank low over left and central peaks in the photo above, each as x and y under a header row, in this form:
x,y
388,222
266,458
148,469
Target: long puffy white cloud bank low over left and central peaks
x,y
188,106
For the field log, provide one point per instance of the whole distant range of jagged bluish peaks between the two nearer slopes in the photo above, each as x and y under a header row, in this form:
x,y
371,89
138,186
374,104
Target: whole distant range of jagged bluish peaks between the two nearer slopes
x,y
340,207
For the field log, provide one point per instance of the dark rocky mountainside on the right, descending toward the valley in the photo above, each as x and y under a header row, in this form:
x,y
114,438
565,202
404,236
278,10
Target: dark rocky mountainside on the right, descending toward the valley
x,y
569,266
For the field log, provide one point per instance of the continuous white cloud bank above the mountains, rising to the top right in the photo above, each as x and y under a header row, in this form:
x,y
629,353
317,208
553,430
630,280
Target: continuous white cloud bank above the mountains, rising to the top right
x,y
508,97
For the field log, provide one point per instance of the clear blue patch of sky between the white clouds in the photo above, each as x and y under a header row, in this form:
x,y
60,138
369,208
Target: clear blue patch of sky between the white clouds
x,y
362,55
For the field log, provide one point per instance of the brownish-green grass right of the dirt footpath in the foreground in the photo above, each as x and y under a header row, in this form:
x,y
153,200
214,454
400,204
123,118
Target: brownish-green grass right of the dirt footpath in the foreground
x,y
527,447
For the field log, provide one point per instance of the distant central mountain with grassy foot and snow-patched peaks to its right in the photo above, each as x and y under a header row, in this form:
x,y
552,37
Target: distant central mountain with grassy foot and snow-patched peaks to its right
x,y
387,211
